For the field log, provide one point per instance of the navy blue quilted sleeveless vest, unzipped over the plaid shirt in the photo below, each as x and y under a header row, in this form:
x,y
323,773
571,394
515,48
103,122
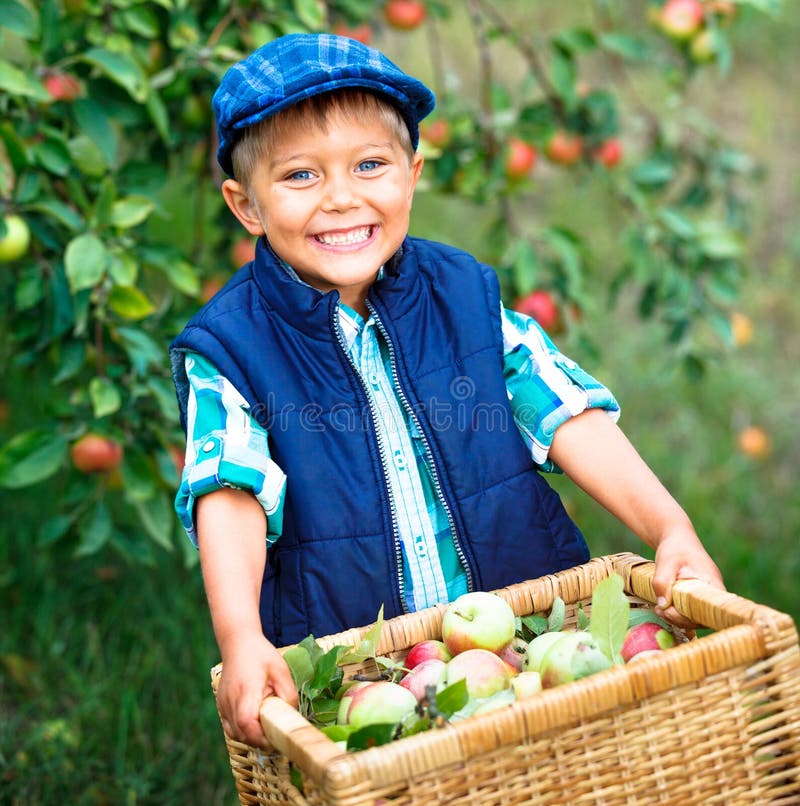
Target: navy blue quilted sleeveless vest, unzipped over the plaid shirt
x,y
338,559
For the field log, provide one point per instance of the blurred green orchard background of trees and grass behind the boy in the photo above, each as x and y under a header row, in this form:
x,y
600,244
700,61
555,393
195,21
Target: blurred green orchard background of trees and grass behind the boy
x,y
660,252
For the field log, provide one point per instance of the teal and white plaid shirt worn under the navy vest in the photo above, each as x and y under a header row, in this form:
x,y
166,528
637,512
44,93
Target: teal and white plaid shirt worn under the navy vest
x,y
227,447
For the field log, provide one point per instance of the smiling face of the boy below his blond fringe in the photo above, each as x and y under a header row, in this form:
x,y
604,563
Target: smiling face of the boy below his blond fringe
x,y
334,205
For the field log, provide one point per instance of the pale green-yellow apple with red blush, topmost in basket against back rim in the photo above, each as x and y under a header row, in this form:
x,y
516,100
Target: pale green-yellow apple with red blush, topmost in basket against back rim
x,y
478,620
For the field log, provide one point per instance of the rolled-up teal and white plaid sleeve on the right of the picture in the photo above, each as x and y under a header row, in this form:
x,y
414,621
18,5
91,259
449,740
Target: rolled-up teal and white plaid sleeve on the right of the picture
x,y
545,388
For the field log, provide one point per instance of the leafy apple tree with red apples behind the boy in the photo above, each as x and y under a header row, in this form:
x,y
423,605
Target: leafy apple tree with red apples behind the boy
x,y
112,231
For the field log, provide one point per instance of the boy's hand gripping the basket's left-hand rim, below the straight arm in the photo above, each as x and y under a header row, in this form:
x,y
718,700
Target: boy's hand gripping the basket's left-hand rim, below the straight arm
x,y
252,669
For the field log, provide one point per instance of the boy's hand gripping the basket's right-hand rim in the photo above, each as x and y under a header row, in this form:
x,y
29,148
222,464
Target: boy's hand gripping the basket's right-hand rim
x,y
680,555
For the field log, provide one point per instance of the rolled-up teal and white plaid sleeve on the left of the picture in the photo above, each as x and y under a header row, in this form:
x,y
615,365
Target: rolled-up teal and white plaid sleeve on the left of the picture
x,y
225,447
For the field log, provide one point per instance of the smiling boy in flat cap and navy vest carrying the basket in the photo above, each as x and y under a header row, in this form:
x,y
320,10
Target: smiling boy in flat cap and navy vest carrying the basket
x,y
362,399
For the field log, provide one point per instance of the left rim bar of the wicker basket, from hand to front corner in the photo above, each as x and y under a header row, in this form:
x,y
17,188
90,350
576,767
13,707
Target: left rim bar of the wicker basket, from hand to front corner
x,y
289,732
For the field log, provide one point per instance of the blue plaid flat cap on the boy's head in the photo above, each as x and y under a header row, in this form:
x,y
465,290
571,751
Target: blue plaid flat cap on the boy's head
x,y
297,66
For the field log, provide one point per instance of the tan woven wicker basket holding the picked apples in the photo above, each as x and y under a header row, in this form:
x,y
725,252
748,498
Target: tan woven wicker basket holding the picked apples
x,y
715,720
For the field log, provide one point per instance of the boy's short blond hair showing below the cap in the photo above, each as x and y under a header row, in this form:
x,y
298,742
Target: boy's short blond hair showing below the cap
x,y
354,105
